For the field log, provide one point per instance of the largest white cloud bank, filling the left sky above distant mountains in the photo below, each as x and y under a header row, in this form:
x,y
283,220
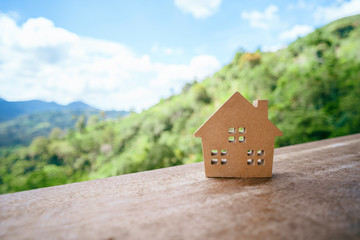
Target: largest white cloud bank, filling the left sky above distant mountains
x,y
41,61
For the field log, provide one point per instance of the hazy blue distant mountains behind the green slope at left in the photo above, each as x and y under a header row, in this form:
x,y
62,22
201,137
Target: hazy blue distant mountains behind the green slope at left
x,y
21,121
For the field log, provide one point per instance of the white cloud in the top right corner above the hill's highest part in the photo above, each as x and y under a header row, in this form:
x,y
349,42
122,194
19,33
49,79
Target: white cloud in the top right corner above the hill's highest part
x,y
337,10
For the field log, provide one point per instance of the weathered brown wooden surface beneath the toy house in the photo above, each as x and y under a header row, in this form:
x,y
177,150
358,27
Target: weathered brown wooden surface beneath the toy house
x,y
314,194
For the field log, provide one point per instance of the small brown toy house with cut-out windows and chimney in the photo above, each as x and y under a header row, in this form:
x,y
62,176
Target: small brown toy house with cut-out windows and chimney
x,y
238,139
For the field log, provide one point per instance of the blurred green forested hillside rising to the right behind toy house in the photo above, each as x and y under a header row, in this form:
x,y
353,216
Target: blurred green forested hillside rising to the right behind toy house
x,y
313,88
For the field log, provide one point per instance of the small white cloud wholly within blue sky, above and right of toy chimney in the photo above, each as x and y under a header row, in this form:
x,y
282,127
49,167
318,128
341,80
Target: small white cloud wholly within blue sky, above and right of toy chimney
x,y
261,19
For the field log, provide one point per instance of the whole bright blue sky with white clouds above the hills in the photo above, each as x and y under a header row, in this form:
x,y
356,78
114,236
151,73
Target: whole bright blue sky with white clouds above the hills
x,y
129,54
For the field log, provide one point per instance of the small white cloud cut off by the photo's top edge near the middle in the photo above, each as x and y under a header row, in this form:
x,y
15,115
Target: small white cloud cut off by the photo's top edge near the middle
x,y
198,8
